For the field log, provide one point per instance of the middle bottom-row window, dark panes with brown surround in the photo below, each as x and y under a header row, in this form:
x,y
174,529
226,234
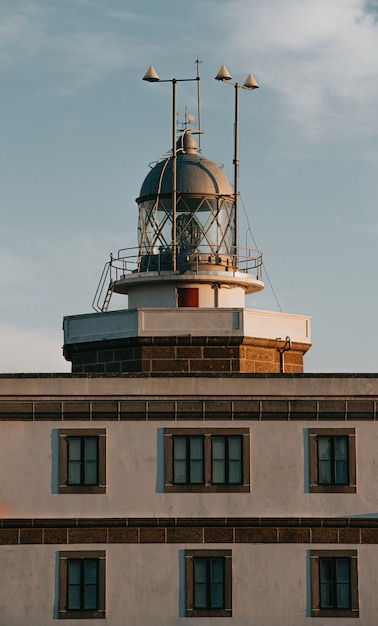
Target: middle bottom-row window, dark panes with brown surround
x,y
208,582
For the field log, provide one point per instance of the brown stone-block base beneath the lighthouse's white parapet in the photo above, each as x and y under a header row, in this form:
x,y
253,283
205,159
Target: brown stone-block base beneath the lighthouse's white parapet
x,y
186,354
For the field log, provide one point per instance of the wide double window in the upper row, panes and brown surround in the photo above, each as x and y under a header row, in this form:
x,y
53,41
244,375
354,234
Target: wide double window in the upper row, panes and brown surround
x,y
200,460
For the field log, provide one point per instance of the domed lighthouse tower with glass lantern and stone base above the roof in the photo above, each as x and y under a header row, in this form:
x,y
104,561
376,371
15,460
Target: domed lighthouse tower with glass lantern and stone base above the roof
x,y
186,280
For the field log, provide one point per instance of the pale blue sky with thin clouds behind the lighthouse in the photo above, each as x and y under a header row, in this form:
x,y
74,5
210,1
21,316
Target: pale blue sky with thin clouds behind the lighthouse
x,y
80,128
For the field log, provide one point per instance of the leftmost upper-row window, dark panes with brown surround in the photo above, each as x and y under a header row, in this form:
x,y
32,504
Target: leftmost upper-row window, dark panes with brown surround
x,y
82,461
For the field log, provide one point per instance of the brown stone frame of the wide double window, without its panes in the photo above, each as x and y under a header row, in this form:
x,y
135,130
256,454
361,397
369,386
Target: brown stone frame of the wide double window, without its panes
x,y
207,485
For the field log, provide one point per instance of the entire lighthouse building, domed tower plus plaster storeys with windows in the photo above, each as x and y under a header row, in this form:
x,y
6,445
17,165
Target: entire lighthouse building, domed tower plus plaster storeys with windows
x,y
188,470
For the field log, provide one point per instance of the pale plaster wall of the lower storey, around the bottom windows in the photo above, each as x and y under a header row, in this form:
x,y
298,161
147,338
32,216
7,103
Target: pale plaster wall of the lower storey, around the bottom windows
x,y
145,585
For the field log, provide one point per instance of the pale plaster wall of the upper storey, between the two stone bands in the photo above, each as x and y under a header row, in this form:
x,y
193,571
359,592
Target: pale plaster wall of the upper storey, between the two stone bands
x,y
135,474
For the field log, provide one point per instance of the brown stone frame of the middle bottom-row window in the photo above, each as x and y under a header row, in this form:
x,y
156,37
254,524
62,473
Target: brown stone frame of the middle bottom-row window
x,y
190,556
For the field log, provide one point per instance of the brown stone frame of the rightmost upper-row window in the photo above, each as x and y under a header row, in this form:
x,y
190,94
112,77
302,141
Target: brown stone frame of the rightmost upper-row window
x,y
315,487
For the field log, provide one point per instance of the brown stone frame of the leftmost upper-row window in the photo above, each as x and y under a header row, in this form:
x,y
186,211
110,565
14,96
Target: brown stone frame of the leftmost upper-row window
x,y
64,435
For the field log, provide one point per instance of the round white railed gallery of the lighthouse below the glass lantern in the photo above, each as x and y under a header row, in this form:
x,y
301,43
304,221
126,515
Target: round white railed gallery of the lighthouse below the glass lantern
x,y
149,279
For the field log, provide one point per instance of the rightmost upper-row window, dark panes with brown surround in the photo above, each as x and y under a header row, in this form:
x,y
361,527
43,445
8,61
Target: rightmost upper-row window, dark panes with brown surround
x,y
332,460
